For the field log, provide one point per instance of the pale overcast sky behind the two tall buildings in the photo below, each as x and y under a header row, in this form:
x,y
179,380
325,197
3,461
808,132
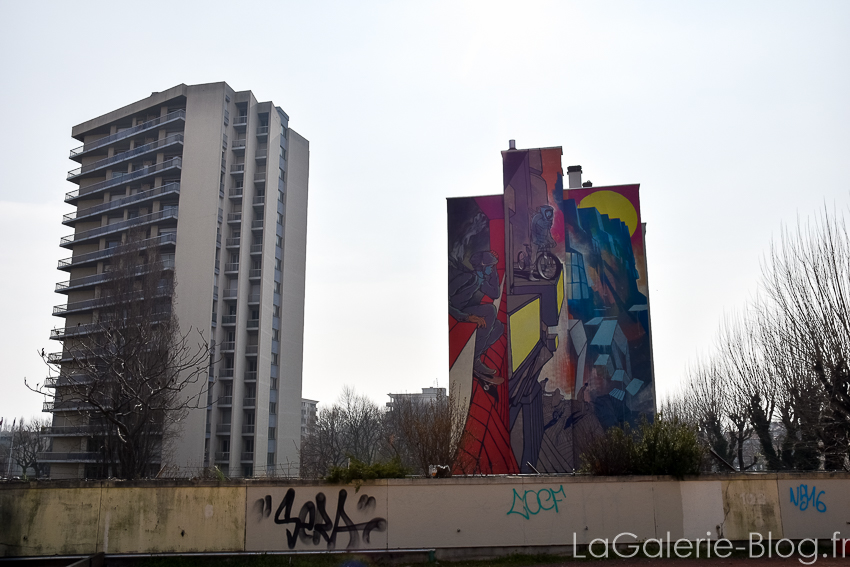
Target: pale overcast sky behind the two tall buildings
x,y
733,117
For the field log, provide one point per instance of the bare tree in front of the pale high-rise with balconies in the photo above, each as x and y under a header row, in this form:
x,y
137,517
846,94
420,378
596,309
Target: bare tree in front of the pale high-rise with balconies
x,y
131,376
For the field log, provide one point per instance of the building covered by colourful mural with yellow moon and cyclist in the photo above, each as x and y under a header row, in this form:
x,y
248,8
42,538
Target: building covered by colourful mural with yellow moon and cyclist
x,y
549,333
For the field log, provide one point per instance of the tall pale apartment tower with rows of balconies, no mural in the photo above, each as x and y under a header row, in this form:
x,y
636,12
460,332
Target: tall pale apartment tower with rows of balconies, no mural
x,y
217,182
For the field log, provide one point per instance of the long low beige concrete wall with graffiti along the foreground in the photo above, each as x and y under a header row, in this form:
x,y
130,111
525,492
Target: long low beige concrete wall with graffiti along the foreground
x,y
457,513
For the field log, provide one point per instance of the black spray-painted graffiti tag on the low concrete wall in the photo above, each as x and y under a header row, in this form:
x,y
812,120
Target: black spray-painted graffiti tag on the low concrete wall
x,y
313,524
